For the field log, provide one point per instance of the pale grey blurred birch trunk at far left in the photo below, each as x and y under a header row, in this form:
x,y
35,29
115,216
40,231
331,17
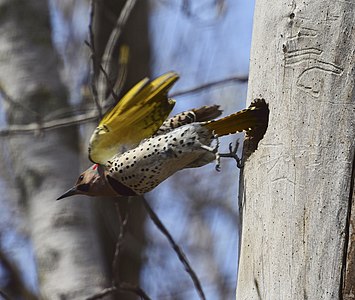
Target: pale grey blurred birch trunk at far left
x,y
43,165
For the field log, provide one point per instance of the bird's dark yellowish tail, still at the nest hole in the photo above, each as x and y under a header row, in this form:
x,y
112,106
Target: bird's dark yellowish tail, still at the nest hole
x,y
245,120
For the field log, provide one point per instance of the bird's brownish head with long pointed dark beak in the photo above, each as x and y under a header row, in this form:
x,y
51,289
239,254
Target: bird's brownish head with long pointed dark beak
x,y
91,182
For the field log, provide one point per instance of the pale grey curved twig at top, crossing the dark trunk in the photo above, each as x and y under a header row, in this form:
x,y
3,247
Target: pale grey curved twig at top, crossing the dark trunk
x,y
116,33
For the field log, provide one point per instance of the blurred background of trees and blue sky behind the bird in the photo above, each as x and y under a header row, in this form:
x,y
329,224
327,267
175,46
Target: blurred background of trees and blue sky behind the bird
x,y
47,115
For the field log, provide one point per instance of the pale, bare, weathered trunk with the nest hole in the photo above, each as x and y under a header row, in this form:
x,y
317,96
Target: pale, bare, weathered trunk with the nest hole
x,y
296,188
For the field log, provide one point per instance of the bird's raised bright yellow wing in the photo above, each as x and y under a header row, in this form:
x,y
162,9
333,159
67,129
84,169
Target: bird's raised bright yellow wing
x,y
136,116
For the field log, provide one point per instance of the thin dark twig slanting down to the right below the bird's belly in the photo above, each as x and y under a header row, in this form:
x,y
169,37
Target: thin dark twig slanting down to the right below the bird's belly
x,y
177,249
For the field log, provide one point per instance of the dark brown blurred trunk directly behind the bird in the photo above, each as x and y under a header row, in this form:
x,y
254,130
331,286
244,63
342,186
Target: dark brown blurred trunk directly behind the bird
x,y
135,36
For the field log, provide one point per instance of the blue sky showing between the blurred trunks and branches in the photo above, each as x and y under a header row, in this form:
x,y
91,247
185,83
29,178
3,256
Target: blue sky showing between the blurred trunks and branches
x,y
204,41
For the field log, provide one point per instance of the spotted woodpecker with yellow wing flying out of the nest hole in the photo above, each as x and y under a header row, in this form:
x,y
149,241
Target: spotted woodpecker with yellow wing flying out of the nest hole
x,y
187,140
